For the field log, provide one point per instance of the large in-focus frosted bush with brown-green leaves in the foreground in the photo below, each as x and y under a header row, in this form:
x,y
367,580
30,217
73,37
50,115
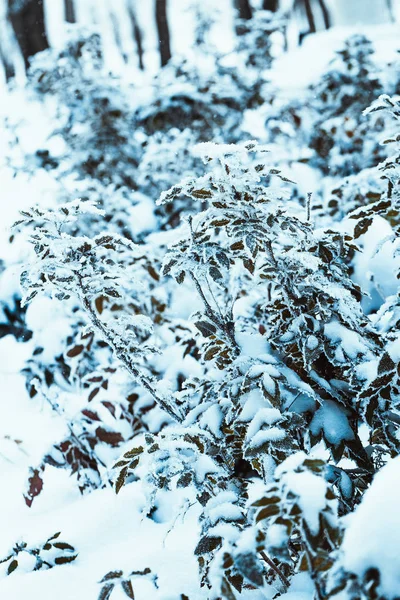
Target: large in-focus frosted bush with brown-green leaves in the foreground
x,y
265,439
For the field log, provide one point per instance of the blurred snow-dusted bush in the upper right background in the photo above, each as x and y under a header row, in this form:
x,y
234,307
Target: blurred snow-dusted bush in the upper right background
x,y
328,120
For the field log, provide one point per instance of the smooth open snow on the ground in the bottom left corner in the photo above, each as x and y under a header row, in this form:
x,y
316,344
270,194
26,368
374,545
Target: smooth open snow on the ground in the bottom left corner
x,y
102,527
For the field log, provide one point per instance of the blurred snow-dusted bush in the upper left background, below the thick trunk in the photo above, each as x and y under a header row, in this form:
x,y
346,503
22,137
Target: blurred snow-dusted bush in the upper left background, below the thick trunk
x,y
94,110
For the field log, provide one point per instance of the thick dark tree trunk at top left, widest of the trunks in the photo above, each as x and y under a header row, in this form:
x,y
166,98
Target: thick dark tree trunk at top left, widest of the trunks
x,y
27,19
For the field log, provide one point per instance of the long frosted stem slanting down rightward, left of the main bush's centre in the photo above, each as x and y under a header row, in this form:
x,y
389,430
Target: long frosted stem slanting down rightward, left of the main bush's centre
x,y
120,353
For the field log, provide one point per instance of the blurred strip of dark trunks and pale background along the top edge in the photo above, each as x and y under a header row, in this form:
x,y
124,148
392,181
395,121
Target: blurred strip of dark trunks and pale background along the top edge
x,y
141,34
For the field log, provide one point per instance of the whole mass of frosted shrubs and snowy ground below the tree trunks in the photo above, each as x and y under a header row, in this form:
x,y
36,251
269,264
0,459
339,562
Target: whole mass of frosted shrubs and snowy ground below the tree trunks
x,y
203,316
